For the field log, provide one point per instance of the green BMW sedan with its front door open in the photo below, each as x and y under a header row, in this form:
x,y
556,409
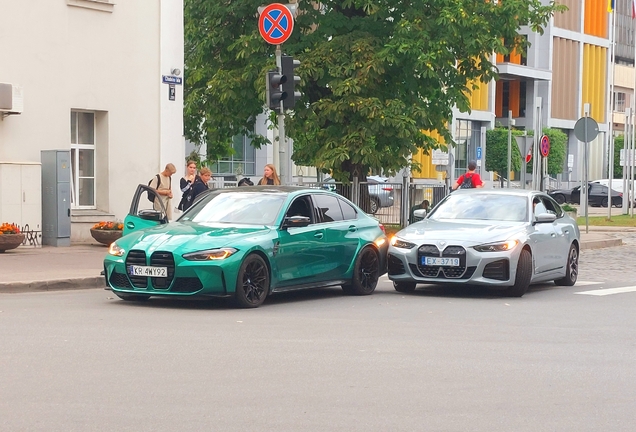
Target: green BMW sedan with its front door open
x,y
247,243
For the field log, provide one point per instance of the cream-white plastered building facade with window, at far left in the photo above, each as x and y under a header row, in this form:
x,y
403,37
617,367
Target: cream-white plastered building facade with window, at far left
x,y
90,74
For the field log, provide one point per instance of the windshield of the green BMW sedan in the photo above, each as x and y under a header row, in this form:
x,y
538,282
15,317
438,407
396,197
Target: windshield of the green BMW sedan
x,y
245,208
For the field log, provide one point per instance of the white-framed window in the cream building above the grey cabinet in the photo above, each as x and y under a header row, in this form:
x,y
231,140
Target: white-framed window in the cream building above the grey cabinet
x,y
82,160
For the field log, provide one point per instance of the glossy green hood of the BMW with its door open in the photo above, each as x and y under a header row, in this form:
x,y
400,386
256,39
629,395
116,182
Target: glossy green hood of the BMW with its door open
x,y
190,236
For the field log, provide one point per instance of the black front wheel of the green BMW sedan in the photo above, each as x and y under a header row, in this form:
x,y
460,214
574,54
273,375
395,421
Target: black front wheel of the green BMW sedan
x,y
252,282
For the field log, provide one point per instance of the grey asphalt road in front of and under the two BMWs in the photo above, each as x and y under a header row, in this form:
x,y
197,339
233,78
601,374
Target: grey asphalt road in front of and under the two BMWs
x,y
441,359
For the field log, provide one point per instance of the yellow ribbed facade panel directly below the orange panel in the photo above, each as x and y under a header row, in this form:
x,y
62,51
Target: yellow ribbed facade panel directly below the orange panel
x,y
594,81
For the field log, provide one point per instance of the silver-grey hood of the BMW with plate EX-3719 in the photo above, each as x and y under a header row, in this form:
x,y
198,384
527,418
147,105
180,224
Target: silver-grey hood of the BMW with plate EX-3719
x,y
472,233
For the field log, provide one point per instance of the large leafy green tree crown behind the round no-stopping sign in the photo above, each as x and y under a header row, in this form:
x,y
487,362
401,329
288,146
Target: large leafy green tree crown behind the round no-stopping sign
x,y
375,74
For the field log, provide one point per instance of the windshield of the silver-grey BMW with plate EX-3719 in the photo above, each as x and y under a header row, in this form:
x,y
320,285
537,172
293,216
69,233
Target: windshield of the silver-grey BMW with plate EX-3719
x,y
491,207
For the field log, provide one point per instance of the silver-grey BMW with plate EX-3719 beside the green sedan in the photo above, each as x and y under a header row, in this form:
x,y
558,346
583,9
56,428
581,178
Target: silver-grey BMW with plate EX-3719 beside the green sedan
x,y
503,238
